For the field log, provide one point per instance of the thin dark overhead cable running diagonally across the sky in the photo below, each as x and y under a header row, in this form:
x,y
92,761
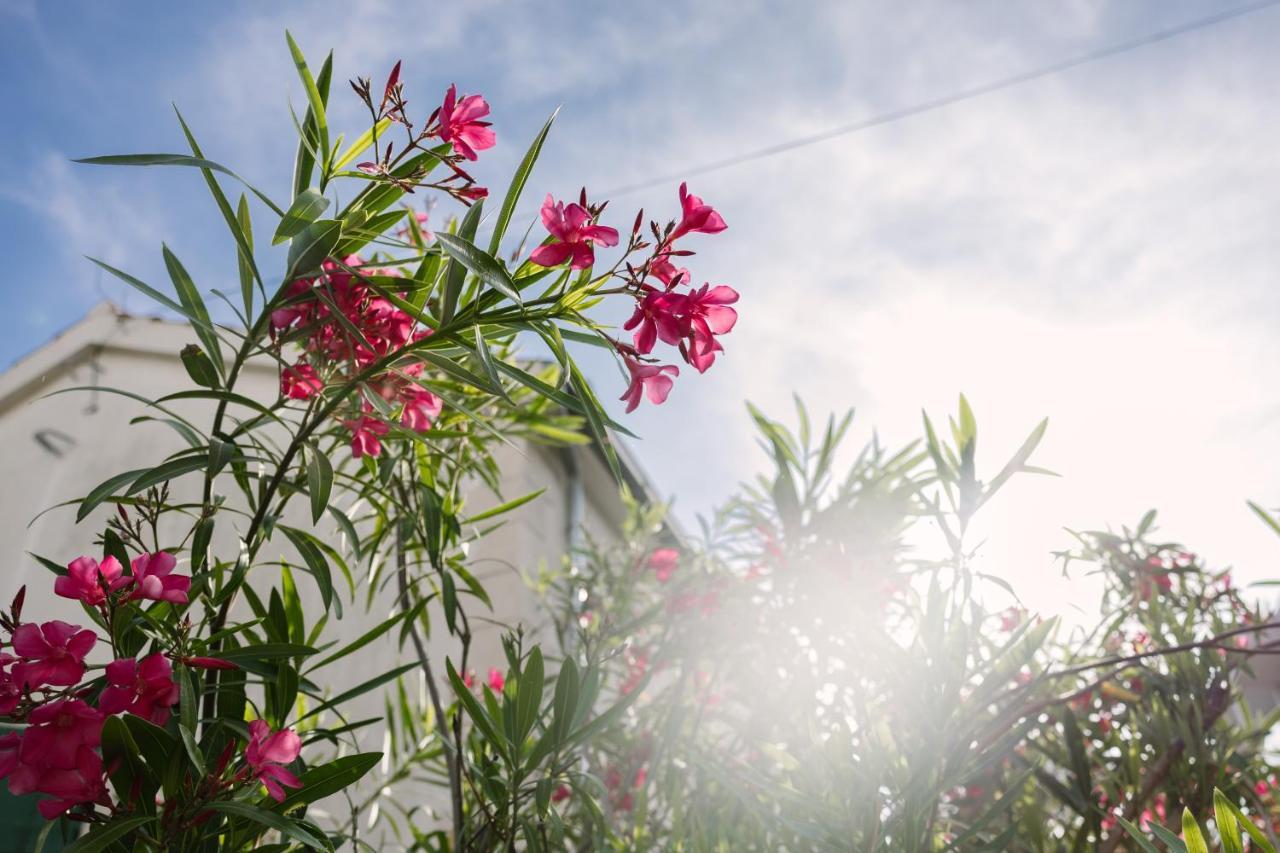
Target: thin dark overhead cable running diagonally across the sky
x,y
947,101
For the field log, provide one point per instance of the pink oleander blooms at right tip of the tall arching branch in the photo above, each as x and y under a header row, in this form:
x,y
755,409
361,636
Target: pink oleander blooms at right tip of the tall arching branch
x,y
670,311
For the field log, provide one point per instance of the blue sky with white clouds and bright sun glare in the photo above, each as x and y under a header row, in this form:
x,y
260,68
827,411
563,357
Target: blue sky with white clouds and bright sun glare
x,y
1098,247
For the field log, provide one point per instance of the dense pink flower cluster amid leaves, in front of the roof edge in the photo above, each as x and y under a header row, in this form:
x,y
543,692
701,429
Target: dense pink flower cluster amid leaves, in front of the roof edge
x,y
332,345
